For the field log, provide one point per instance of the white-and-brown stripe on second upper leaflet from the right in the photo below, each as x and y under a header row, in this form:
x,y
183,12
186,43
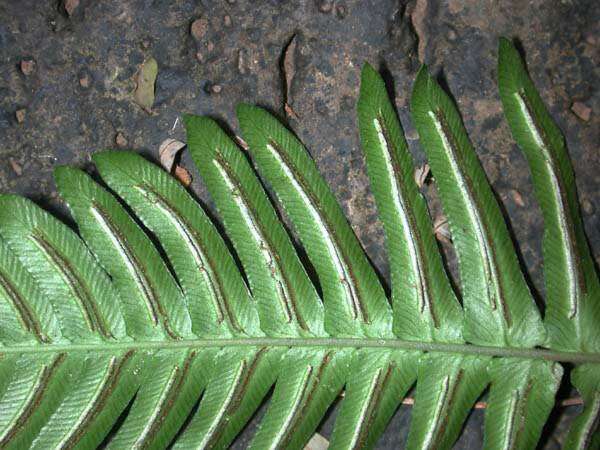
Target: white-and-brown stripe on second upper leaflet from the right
x,y
492,279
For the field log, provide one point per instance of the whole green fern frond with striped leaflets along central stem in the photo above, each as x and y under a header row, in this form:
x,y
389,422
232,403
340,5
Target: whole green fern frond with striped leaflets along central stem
x,y
97,329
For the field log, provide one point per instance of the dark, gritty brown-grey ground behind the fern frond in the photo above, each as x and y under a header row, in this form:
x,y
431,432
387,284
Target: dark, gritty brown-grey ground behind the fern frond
x,y
74,95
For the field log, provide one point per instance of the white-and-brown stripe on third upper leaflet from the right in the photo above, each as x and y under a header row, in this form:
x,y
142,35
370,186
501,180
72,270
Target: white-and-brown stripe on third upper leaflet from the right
x,y
408,226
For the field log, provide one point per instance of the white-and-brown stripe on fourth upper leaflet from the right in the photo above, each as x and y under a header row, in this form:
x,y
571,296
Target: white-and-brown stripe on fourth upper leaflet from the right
x,y
354,305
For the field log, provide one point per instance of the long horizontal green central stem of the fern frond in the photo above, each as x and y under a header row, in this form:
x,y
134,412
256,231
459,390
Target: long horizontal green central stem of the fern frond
x,y
390,344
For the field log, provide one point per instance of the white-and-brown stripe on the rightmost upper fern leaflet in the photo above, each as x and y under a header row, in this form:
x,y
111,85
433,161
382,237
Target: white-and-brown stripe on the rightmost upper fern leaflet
x,y
574,276
